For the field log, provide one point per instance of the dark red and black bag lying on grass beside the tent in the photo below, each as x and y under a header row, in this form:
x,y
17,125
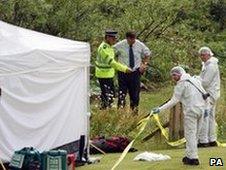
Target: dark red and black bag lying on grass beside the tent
x,y
110,145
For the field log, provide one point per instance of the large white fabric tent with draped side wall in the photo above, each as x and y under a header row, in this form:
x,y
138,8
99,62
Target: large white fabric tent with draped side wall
x,y
44,82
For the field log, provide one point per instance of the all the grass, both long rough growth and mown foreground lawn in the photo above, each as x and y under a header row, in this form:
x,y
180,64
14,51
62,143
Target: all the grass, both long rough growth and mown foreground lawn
x,y
120,122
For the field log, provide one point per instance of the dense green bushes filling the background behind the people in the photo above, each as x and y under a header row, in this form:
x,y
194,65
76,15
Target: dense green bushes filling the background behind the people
x,y
173,29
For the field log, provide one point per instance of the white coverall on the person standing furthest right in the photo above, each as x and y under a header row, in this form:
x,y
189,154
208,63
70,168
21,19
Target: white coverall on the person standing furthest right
x,y
210,78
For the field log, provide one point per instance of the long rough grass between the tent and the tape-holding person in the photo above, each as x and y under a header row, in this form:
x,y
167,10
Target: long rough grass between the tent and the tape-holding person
x,y
122,123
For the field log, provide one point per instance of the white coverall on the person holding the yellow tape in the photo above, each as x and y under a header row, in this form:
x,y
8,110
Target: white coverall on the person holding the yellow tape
x,y
193,108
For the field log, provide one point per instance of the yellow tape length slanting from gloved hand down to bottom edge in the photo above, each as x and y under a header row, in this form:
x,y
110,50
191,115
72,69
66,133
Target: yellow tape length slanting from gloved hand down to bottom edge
x,y
141,127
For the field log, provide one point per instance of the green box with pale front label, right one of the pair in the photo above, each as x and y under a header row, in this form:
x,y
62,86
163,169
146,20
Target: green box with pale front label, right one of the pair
x,y
54,160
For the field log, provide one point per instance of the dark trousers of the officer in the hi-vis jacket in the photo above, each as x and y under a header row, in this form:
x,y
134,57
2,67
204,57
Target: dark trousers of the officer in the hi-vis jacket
x,y
107,92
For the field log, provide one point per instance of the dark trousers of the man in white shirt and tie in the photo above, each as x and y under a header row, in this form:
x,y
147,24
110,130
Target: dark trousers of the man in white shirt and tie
x,y
131,83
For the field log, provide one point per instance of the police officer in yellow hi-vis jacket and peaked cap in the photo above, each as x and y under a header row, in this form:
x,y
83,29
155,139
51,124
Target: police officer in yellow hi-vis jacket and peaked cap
x,y
105,66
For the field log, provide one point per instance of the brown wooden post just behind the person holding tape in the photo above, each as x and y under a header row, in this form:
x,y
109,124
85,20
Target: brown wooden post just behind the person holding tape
x,y
176,123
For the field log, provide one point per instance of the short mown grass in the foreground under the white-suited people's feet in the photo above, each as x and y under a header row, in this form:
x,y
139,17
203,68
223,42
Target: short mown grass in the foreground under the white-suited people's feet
x,y
174,163
